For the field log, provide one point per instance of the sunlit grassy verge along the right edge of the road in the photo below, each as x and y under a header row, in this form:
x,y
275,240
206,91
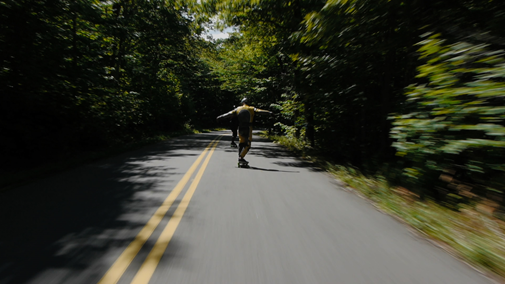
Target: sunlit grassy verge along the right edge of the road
x,y
474,237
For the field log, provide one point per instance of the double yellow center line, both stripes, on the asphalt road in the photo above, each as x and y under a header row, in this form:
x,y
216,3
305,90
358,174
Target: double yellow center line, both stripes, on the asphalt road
x,y
151,262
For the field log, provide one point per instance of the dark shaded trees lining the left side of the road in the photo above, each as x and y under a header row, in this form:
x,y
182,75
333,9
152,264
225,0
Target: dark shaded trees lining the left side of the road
x,y
91,74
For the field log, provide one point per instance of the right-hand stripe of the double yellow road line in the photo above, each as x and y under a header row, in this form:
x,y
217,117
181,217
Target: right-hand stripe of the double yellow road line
x,y
147,269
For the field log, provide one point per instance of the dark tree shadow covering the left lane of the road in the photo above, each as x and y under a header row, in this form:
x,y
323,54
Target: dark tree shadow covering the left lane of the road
x,y
63,223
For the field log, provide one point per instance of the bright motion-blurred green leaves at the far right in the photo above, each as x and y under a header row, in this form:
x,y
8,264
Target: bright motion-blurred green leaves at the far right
x,y
457,118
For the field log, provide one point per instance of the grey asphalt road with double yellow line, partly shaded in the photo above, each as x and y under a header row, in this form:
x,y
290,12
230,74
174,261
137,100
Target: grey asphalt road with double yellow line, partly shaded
x,y
182,212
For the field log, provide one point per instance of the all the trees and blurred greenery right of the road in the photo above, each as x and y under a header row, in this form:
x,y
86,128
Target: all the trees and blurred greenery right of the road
x,y
408,88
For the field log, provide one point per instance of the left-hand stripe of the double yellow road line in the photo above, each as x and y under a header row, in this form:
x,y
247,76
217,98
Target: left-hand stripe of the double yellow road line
x,y
118,268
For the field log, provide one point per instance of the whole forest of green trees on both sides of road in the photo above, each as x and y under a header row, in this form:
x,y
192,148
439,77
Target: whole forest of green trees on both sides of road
x,y
413,90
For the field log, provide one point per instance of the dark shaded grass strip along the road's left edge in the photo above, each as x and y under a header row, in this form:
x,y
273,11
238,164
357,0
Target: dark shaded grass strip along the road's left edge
x,y
18,177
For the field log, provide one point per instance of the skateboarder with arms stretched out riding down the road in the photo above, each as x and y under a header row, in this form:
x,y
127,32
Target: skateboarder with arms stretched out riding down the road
x,y
245,114
